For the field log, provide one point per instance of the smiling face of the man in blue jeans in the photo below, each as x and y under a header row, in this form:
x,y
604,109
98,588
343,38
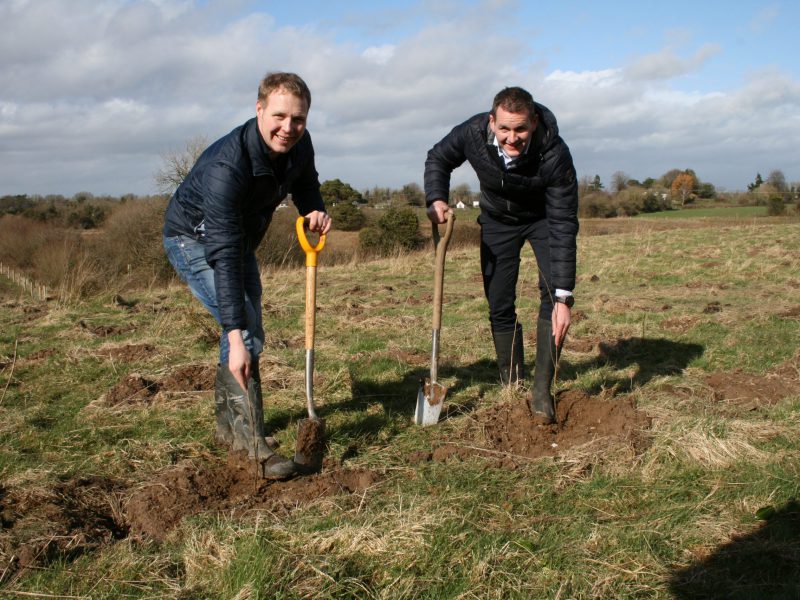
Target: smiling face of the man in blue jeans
x,y
281,120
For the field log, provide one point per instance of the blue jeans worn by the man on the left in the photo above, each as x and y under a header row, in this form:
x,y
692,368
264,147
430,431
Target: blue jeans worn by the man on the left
x,y
187,256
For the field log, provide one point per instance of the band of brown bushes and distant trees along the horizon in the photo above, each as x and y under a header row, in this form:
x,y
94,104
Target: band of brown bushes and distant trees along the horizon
x,y
44,236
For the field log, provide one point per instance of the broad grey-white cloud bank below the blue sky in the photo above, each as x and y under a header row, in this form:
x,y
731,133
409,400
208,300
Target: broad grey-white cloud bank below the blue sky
x,y
93,92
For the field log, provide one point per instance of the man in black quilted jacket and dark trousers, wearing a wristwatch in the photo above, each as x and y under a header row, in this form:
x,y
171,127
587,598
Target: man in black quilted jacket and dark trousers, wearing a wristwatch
x,y
528,192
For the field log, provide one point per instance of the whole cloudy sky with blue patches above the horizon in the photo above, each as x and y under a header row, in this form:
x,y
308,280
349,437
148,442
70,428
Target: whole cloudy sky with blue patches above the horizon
x,y
93,93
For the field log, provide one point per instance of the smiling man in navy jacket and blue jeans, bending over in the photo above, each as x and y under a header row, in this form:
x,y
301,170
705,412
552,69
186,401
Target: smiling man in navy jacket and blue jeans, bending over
x,y
214,222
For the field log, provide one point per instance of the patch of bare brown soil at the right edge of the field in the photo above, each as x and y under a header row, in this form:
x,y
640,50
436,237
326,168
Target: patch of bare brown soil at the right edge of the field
x,y
749,392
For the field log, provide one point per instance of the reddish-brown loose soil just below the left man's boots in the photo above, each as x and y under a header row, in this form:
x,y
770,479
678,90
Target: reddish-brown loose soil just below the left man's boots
x,y
188,489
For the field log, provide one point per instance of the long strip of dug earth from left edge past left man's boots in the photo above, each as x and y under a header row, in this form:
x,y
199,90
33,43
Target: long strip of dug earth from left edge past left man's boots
x,y
42,526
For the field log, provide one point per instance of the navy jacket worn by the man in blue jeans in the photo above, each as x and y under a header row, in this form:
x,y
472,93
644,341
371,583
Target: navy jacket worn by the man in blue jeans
x,y
227,201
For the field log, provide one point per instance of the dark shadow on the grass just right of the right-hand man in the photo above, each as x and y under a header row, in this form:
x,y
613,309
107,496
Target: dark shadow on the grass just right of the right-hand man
x,y
652,357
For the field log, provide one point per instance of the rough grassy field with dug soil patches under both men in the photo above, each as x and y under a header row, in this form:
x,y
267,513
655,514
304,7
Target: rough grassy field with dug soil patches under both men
x,y
685,343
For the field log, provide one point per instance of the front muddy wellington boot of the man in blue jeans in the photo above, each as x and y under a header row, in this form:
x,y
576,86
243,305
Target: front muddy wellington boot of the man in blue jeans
x,y
248,429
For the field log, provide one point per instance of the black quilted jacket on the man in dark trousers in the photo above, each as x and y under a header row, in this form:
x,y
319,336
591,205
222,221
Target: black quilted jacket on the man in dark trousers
x,y
542,184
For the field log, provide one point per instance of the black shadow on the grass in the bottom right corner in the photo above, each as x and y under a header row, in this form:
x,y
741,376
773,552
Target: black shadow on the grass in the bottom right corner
x,y
762,564
